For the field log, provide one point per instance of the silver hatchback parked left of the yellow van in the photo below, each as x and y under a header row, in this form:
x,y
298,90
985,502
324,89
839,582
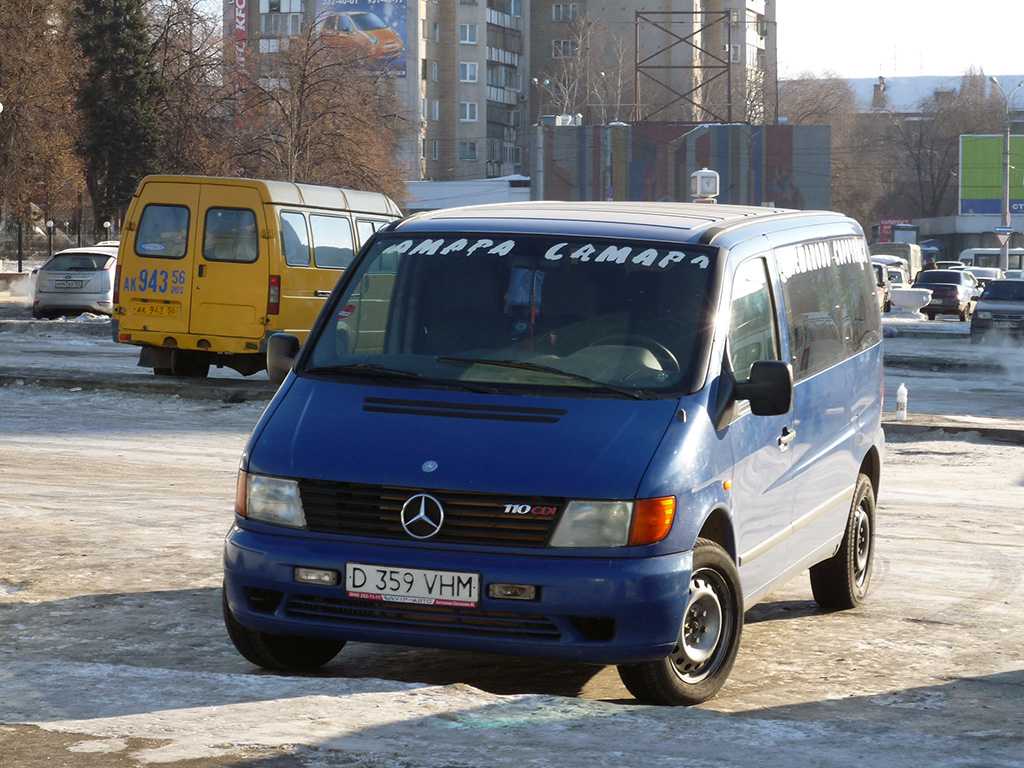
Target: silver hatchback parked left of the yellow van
x,y
75,281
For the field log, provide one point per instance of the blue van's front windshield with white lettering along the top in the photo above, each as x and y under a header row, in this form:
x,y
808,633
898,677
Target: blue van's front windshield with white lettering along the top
x,y
601,317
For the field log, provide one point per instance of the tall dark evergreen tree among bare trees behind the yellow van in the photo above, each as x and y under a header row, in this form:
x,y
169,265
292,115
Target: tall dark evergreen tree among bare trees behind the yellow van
x,y
121,132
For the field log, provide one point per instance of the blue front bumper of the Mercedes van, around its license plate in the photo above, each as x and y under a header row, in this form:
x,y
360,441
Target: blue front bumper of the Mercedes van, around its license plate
x,y
602,611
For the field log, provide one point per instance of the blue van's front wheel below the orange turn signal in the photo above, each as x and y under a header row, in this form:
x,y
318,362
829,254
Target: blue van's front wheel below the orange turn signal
x,y
709,638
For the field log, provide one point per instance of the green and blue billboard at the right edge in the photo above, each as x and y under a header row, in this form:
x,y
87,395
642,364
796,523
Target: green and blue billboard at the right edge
x,y
982,175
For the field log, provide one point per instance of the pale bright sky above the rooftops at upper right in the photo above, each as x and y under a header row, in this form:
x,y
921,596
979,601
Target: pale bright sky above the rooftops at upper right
x,y
901,38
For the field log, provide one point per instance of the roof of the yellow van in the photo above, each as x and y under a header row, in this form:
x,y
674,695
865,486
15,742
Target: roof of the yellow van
x,y
289,194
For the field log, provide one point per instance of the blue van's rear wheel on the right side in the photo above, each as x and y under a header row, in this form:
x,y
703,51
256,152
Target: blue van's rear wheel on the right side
x,y
842,581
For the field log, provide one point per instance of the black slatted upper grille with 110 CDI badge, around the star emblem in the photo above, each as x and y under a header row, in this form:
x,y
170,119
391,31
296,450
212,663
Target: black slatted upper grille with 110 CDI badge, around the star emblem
x,y
485,520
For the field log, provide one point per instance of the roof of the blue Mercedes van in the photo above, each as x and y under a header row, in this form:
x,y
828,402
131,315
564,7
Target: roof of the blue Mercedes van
x,y
692,223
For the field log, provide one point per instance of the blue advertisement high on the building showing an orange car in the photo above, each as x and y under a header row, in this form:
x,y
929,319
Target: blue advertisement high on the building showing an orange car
x,y
376,28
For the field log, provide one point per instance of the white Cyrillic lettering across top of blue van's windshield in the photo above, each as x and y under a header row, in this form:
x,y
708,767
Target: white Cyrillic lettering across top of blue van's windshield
x,y
641,257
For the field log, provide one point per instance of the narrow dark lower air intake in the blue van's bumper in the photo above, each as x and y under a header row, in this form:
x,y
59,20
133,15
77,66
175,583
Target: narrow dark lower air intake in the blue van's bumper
x,y
423,617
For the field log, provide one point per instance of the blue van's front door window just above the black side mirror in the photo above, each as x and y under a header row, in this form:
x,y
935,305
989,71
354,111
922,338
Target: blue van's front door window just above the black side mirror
x,y
753,329
